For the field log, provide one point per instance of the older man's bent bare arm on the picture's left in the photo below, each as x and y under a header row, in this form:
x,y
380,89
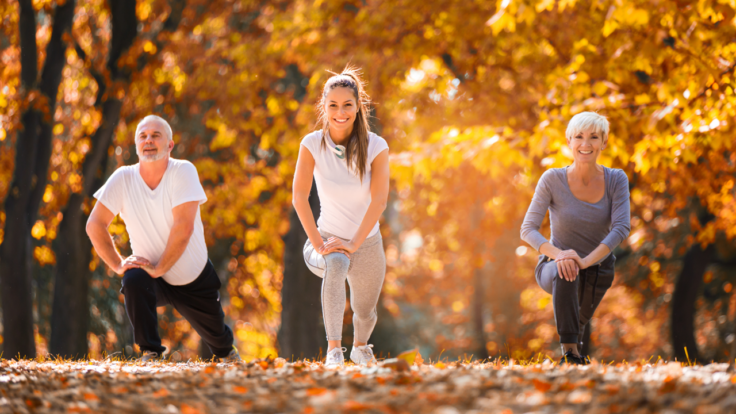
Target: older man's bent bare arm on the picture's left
x,y
97,225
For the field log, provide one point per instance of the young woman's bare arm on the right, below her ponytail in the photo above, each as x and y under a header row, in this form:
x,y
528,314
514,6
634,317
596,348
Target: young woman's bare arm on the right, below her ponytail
x,y
379,199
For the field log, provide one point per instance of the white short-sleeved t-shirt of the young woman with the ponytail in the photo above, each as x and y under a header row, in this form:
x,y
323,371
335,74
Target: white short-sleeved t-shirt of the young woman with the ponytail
x,y
343,199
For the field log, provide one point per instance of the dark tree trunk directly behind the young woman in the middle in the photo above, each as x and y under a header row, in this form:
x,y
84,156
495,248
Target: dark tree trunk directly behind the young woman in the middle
x,y
301,334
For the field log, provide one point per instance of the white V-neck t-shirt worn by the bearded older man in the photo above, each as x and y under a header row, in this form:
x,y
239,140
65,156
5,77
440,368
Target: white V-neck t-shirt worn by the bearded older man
x,y
148,214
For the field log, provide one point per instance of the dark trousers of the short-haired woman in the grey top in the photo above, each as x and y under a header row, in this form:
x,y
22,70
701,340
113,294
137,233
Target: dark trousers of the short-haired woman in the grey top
x,y
574,302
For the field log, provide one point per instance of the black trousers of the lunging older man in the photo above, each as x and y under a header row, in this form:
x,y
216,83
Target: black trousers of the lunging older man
x,y
198,302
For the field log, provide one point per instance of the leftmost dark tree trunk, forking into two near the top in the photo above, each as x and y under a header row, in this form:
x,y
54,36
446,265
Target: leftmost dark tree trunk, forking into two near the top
x,y
33,150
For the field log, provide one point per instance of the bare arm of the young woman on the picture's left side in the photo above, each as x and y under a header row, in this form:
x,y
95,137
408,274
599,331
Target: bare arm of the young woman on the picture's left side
x,y
301,187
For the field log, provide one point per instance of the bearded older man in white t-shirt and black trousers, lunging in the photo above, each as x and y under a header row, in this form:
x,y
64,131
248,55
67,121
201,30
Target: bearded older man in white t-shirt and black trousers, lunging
x,y
159,199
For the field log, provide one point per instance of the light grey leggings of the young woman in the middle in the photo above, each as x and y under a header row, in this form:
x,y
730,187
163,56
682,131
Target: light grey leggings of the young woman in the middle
x,y
364,271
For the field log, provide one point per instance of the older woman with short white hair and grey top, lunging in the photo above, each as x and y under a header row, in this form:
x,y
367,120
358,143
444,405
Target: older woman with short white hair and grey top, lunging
x,y
589,216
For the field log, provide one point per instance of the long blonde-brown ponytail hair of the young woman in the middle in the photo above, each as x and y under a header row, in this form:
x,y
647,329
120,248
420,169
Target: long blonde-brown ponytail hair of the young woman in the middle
x,y
356,148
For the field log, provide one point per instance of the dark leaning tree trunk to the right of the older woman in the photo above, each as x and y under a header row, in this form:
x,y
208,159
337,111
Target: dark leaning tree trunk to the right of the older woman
x,y
687,287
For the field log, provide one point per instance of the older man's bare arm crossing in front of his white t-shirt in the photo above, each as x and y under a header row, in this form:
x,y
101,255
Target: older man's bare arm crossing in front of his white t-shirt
x,y
181,231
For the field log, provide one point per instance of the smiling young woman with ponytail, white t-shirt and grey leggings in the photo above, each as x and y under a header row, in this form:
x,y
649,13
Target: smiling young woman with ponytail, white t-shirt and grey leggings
x,y
350,165
